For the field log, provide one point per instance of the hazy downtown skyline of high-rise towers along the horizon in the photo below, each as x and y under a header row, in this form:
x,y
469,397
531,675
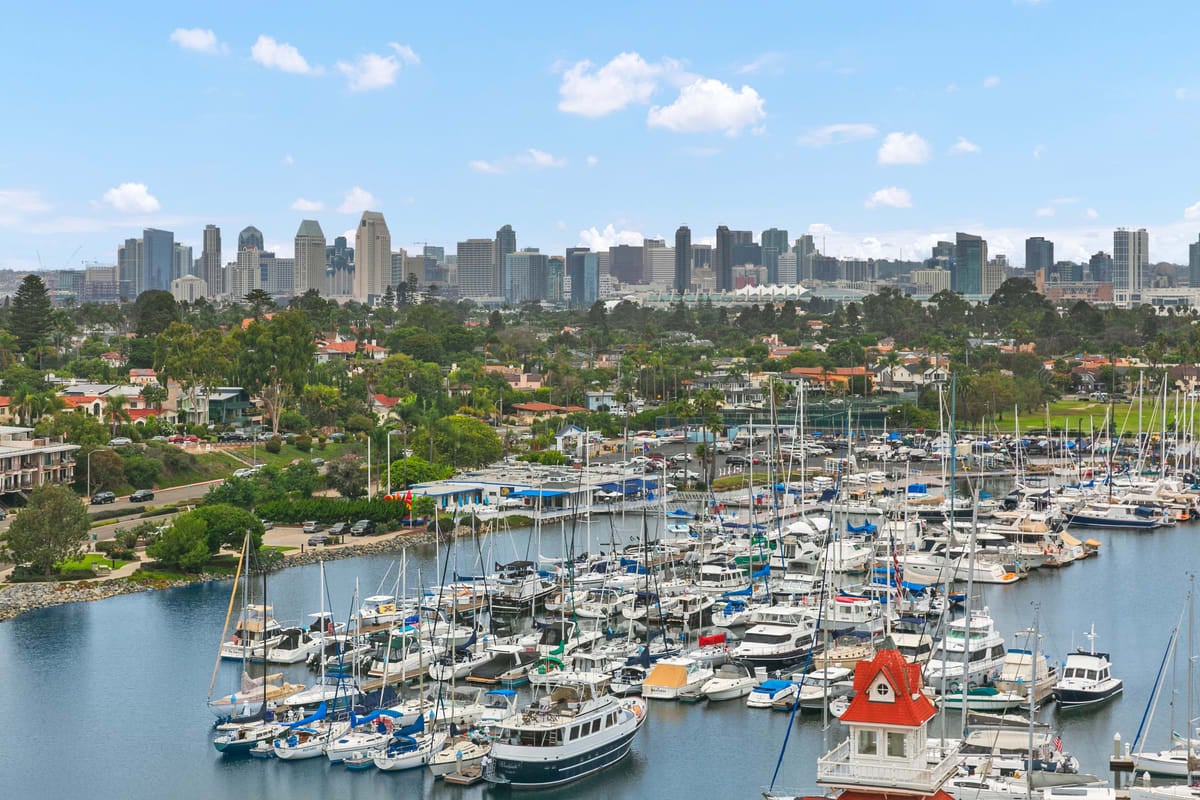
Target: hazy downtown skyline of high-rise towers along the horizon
x,y
495,272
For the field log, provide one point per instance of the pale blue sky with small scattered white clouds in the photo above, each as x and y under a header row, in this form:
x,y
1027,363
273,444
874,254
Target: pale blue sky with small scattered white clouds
x,y
878,127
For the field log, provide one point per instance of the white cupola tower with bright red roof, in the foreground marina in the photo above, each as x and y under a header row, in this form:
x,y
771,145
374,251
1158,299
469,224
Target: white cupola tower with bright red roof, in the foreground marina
x,y
887,756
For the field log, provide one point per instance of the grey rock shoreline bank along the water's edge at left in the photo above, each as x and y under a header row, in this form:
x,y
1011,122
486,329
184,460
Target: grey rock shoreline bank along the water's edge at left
x,y
20,598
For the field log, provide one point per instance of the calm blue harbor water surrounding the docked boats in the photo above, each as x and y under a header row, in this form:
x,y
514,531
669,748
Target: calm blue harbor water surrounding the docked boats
x,y
107,700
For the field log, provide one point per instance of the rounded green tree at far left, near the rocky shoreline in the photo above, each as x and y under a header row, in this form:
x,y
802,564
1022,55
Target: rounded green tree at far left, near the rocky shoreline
x,y
53,527
